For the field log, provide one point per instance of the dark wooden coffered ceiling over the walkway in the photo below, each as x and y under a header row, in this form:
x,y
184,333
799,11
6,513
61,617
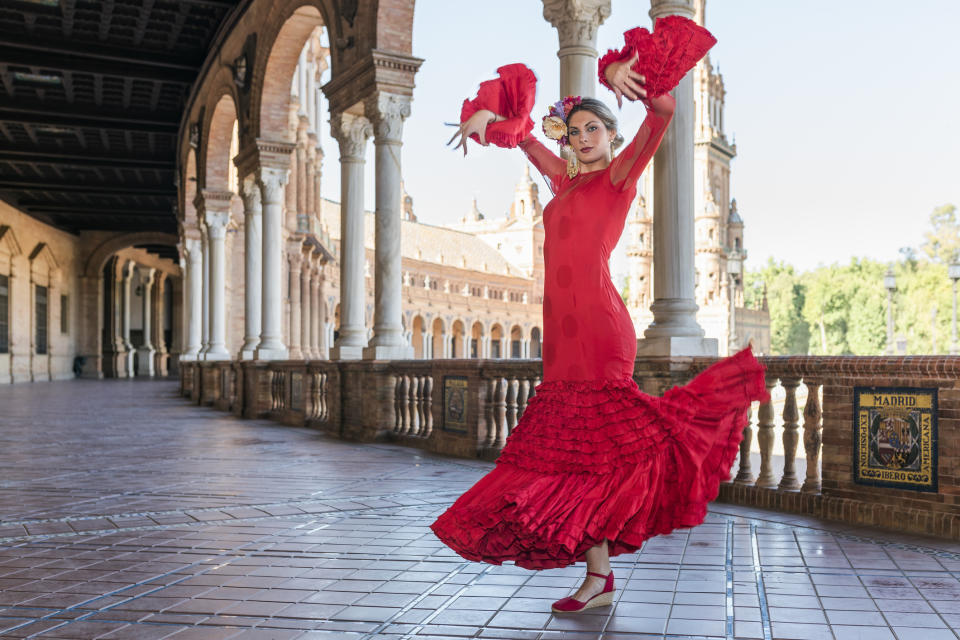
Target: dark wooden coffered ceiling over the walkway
x,y
90,104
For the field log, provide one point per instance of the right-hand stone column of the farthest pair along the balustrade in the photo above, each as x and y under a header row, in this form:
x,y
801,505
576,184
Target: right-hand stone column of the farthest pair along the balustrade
x,y
216,216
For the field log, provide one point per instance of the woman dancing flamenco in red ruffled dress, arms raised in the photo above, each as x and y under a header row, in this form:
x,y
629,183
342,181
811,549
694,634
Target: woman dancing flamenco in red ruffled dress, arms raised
x,y
595,466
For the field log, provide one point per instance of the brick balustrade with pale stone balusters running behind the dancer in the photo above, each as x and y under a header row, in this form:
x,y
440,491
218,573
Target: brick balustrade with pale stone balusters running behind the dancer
x,y
796,453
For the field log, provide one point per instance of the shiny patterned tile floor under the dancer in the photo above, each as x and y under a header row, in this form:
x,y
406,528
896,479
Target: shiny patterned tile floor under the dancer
x,y
126,512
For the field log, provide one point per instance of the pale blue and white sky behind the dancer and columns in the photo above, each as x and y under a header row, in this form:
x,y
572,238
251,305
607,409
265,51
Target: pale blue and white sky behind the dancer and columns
x,y
846,116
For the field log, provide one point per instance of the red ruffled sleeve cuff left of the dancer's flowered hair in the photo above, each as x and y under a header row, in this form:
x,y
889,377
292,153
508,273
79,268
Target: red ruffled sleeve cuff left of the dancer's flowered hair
x,y
512,96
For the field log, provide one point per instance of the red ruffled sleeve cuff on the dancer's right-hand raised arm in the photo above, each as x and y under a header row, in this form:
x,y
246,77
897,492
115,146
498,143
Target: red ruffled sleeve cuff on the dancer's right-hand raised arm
x,y
664,56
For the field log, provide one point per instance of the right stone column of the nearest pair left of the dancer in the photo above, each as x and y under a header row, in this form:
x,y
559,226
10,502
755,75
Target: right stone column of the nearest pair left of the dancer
x,y
389,112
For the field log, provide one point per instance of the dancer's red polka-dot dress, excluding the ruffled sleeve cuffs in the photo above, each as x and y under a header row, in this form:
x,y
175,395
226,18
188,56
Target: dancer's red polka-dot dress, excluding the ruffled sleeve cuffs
x,y
593,457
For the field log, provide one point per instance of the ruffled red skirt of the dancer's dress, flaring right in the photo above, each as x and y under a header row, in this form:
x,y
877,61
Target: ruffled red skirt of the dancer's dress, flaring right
x,y
595,460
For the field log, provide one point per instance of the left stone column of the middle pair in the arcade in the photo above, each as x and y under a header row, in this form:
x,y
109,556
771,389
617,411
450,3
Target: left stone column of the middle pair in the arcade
x,y
252,267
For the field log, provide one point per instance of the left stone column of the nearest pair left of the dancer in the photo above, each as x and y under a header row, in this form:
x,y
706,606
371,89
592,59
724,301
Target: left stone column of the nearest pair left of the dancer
x,y
351,132
